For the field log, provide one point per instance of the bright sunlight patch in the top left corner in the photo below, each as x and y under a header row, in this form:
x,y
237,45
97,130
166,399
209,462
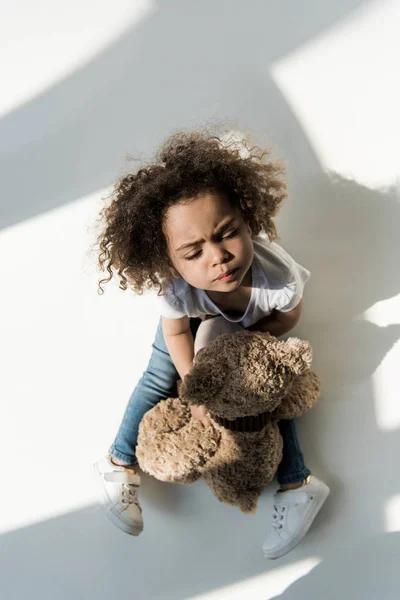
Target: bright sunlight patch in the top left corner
x,y
51,40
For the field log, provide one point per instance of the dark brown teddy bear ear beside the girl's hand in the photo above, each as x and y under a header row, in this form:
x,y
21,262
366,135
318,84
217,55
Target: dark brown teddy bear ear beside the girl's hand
x,y
203,381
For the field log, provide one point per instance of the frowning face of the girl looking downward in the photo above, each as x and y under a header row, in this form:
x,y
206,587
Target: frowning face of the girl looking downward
x,y
207,238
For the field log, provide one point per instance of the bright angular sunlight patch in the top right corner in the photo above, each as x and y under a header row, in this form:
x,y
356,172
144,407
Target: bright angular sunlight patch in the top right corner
x,y
343,88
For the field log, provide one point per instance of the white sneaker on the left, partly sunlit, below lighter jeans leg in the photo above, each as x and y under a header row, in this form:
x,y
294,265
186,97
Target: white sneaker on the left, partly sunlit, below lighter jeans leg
x,y
120,487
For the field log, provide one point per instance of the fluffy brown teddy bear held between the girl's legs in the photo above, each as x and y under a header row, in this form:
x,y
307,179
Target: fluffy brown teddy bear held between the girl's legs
x,y
248,381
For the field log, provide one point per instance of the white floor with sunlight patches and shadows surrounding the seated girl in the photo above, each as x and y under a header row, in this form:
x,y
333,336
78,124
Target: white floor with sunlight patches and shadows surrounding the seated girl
x,y
71,358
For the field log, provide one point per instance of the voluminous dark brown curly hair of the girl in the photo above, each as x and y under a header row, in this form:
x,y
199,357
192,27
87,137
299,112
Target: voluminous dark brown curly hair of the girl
x,y
132,243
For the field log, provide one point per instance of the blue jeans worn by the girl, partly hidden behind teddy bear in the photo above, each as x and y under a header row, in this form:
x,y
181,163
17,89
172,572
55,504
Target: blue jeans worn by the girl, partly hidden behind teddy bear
x,y
159,382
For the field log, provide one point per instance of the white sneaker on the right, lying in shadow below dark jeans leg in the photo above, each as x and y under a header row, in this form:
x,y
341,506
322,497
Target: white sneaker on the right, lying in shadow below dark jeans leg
x,y
293,513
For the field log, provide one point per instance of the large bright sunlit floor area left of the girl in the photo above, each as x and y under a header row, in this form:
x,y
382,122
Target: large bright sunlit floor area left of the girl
x,y
70,361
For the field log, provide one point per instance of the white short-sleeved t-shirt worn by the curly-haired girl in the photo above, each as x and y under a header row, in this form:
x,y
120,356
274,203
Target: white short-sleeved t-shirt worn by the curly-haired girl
x,y
278,283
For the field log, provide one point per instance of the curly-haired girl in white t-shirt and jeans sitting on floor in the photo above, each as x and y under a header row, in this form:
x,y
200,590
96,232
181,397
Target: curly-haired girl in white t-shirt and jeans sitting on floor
x,y
198,226
